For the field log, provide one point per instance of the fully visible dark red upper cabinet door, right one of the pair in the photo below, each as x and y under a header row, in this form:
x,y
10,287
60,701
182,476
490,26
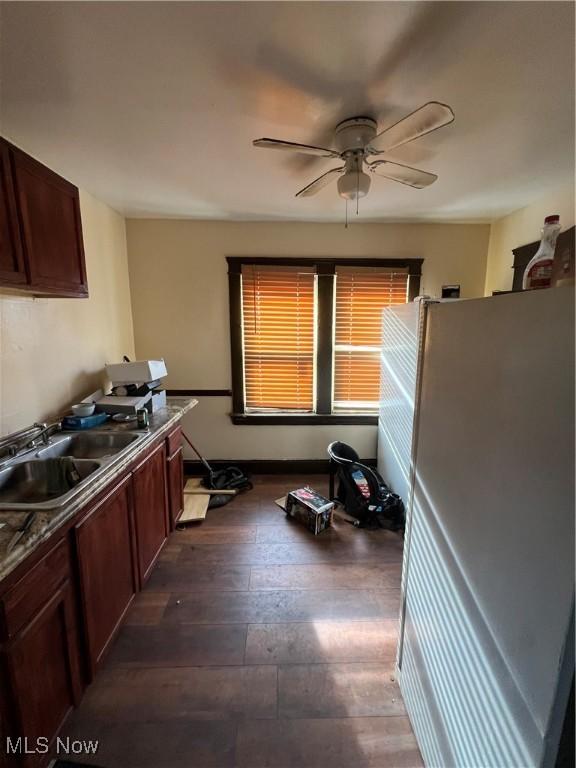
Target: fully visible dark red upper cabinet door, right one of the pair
x,y
49,211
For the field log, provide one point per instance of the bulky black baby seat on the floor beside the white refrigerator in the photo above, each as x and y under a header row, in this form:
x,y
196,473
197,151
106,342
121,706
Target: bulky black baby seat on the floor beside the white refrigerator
x,y
362,491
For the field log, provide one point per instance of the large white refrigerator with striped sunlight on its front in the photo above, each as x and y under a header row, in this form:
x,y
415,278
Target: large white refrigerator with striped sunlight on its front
x,y
477,435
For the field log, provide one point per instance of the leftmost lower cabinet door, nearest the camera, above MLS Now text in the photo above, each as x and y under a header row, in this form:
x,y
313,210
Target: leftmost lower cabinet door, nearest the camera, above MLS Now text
x,y
43,671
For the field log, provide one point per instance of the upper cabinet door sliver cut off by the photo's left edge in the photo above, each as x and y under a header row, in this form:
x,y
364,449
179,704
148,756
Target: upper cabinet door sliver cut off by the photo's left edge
x,y
12,270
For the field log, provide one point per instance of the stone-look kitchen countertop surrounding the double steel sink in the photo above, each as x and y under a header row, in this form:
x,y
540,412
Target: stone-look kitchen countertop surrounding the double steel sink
x,y
48,521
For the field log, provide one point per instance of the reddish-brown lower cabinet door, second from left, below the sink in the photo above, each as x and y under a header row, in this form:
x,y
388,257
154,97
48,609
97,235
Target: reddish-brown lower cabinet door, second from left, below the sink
x,y
107,576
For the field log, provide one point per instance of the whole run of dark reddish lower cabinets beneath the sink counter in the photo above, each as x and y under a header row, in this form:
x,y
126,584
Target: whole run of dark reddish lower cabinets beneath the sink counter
x,y
59,616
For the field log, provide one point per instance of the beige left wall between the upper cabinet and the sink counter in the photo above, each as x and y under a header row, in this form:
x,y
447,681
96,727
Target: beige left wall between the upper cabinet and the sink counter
x,y
52,351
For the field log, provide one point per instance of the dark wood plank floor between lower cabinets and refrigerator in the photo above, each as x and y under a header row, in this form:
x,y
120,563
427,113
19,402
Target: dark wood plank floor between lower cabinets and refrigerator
x,y
257,645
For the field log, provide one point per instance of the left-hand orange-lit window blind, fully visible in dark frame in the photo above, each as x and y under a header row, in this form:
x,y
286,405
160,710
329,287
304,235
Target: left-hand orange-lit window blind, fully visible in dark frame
x,y
278,334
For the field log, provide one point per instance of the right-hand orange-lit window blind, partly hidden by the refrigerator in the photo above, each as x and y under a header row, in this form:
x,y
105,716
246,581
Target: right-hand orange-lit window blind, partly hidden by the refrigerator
x,y
361,295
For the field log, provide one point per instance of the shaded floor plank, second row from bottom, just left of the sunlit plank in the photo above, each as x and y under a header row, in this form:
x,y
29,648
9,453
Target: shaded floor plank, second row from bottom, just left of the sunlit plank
x,y
197,693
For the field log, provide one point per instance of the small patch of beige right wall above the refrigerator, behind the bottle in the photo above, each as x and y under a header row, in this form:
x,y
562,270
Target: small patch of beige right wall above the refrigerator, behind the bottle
x,y
519,228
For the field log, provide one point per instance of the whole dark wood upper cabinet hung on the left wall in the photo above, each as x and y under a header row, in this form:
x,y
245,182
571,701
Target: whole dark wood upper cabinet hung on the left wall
x,y
41,245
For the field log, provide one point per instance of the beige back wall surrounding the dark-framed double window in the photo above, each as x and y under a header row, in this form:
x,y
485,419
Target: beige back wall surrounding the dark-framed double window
x,y
179,286
